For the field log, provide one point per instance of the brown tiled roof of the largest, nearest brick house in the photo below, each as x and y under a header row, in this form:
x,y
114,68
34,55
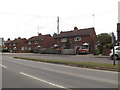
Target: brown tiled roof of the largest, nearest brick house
x,y
80,32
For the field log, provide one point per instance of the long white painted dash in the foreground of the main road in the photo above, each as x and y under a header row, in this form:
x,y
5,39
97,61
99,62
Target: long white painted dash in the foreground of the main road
x,y
42,80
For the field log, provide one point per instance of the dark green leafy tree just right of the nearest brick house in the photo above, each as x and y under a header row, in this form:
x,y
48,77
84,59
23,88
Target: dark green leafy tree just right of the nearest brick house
x,y
104,39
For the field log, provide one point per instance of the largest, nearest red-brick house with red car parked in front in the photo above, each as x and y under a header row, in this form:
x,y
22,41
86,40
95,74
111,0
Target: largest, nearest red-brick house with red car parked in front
x,y
77,38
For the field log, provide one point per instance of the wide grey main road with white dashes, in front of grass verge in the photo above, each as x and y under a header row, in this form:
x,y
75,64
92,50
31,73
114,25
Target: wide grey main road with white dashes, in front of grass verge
x,y
17,73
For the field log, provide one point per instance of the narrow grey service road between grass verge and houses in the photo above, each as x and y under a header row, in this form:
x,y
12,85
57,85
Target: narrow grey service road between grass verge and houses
x,y
78,58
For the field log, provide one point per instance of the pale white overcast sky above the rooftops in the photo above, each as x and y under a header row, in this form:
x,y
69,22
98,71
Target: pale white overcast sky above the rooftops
x,y
25,18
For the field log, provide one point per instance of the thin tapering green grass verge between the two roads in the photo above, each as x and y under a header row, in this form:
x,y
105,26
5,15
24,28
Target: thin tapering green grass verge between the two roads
x,y
100,66
